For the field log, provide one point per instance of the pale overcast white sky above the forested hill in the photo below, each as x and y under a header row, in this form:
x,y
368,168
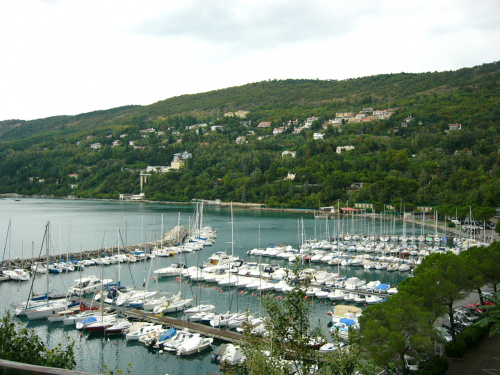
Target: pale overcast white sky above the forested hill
x,y
64,57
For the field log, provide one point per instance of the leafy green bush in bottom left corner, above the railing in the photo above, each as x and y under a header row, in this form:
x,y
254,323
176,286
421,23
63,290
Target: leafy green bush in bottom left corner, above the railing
x,y
20,344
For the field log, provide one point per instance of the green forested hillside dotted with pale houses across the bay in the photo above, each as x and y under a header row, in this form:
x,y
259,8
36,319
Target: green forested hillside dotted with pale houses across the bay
x,y
404,150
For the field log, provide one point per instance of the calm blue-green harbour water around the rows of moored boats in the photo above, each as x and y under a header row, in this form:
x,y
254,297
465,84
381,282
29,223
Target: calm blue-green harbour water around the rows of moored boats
x,y
84,225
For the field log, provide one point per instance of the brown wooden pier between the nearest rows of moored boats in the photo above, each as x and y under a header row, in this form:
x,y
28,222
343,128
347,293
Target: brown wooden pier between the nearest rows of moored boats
x,y
218,333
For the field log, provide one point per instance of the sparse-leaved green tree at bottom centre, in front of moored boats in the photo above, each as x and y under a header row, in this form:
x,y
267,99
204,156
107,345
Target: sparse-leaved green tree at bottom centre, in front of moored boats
x,y
288,345
